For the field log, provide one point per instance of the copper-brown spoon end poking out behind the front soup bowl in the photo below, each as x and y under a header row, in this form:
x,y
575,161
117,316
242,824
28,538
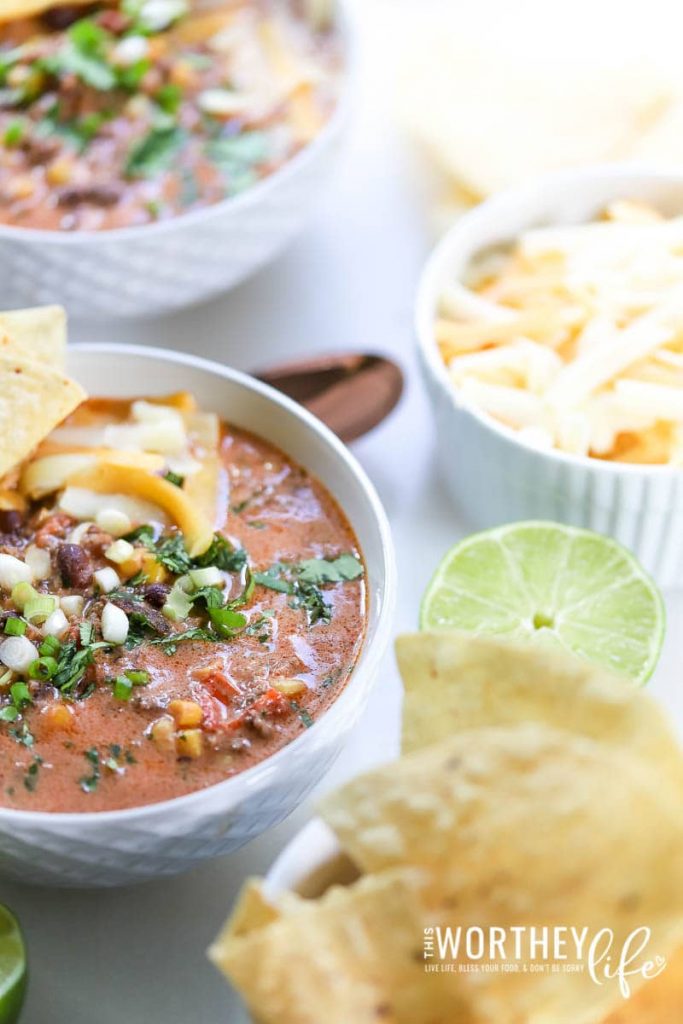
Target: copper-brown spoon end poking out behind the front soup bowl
x,y
352,393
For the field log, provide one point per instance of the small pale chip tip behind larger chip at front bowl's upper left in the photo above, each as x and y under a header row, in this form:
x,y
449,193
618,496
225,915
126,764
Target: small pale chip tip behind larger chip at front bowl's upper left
x,y
35,334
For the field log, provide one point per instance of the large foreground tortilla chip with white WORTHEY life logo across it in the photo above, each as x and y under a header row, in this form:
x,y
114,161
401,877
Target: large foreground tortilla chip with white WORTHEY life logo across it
x,y
528,826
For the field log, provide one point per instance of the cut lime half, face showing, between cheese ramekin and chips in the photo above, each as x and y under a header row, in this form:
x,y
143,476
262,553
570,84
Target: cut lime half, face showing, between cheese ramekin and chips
x,y
557,585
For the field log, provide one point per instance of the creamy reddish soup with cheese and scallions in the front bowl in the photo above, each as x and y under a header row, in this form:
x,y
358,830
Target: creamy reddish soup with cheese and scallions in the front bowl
x,y
146,654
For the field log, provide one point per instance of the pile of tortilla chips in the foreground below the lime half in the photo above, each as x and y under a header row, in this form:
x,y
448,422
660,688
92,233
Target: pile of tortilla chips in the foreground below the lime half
x,y
534,792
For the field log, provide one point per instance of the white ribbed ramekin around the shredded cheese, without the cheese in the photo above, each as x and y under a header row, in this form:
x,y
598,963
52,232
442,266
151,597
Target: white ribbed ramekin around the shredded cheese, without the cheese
x,y
493,476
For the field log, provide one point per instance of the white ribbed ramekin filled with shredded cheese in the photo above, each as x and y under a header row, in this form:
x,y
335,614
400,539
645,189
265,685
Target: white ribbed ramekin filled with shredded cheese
x,y
498,332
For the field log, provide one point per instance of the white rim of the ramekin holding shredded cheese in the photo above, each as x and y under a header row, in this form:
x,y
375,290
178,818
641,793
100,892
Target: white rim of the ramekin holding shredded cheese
x,y
435,273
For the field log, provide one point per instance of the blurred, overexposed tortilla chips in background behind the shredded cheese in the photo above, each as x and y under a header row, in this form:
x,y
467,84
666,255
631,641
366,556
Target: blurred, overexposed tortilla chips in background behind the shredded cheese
x,y
493,108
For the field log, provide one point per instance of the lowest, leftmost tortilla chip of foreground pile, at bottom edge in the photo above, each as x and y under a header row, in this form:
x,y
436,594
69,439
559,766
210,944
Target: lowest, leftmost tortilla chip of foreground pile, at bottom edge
x,y
357,953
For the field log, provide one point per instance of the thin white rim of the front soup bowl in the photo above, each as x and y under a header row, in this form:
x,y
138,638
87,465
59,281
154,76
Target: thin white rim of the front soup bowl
x,y
370,655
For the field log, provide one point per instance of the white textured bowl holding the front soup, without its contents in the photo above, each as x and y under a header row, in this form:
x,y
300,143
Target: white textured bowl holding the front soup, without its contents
x,y
115,848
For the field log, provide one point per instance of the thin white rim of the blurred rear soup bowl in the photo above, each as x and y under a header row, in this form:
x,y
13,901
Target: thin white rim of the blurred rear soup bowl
x,y
251,197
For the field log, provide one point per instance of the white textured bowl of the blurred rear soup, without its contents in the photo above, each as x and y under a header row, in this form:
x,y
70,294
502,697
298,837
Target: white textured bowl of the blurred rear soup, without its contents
x,y
153,270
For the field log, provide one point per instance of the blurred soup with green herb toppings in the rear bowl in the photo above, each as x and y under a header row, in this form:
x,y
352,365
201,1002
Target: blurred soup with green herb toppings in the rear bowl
x,y
115,115
